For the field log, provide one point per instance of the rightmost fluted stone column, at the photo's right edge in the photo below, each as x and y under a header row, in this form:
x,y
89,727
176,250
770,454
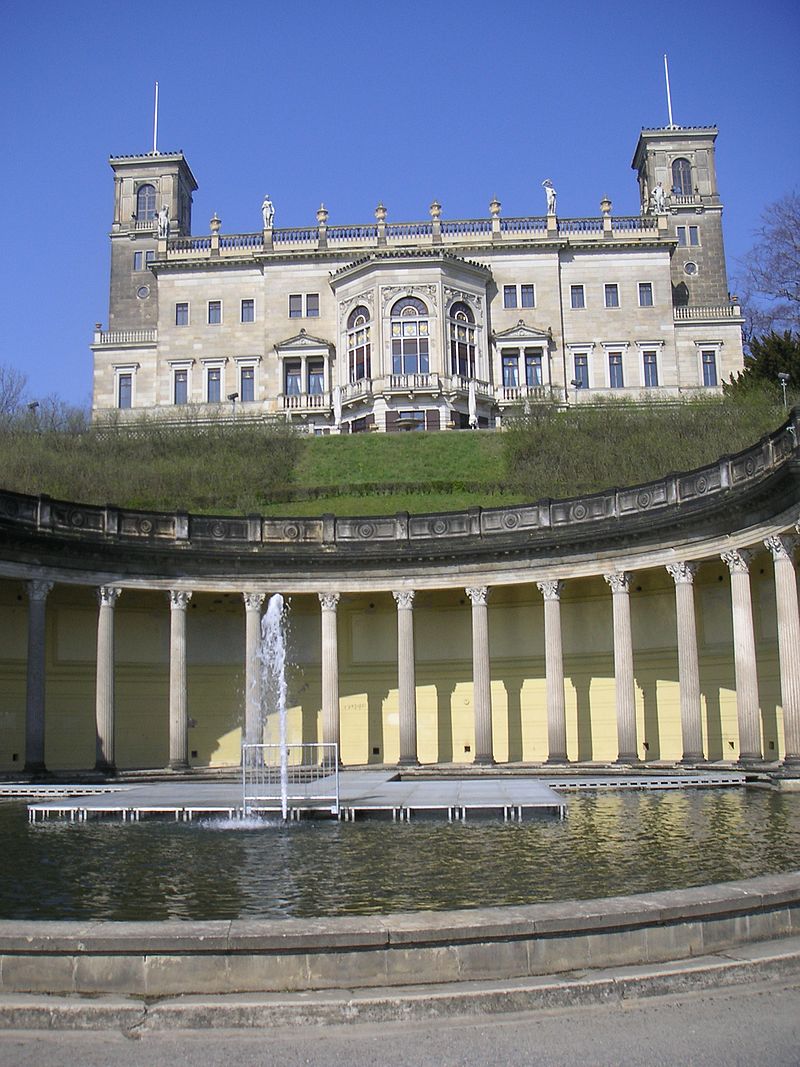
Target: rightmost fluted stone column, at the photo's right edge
x,y
789,642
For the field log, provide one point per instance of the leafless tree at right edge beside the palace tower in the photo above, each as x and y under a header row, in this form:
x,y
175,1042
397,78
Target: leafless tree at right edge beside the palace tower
x,y
771,274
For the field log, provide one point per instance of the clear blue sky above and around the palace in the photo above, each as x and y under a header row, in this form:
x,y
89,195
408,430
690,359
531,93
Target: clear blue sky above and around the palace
x,y
353,103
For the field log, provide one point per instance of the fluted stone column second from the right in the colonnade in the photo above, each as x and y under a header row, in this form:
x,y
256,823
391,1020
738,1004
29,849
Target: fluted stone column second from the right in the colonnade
x,y
748,710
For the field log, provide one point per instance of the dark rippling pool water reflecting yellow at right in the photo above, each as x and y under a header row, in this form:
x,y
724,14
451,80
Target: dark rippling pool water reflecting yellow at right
x,y
611,843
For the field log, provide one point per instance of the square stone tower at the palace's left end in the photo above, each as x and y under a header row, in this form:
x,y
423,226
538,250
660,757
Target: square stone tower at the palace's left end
x,y
143,186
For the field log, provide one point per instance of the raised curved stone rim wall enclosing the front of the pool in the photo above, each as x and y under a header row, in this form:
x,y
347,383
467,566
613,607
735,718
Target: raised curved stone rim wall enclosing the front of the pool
x,y
487,945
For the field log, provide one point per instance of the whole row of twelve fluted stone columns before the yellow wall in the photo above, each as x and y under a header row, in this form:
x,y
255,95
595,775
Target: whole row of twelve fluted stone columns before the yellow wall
x,y
781,547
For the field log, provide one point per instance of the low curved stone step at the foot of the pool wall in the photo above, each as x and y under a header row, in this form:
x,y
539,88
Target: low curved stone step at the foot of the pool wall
x,y
771,962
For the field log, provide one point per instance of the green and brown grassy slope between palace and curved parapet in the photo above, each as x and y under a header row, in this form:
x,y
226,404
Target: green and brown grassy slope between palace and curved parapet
x,y
230,469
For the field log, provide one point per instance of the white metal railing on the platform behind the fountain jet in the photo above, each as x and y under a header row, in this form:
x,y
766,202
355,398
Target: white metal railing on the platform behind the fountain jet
x,y
295,777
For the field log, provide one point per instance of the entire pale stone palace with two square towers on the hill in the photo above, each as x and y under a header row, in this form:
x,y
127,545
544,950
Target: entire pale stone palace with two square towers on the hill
x,y
433,325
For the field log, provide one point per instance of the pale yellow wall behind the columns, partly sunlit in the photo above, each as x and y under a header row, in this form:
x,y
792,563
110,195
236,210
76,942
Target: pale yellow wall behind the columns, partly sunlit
x,y
367,631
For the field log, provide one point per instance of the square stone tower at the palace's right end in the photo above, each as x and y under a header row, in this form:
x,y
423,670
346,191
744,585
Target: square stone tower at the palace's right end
x,y
683,161
